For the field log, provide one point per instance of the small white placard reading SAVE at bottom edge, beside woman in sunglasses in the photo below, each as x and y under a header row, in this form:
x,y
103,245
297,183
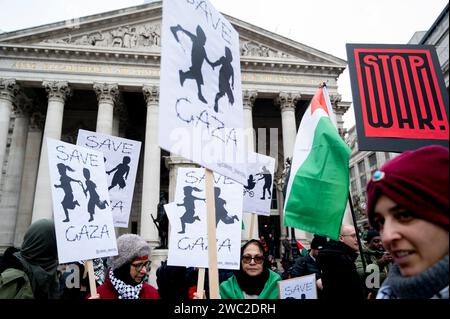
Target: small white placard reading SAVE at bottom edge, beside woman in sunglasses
x,y
298,288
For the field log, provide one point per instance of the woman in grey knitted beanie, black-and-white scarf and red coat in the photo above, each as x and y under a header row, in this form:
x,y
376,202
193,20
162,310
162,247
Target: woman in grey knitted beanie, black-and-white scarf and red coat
x,y
125,279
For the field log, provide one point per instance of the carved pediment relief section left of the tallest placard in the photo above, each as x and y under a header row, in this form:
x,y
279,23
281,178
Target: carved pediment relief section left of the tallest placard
x,y
139,36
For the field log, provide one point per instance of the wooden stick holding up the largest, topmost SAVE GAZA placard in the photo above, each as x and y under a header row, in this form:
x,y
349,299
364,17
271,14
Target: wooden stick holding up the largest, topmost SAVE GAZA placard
x,y
213,273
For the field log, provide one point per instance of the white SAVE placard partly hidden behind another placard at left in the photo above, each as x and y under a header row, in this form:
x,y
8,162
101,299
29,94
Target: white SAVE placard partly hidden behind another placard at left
x,y
121,158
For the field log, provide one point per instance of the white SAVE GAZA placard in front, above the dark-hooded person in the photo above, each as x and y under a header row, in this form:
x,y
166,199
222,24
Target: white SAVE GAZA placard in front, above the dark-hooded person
x,y
83,220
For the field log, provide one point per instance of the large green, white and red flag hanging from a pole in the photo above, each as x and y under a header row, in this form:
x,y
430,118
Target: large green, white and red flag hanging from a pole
x,y
318,184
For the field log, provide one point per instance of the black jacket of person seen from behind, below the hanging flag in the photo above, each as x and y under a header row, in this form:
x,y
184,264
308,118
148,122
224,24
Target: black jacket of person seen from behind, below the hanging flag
x,y
340,279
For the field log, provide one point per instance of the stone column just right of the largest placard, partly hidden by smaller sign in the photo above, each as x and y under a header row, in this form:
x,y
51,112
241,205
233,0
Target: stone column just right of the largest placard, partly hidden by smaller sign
x,y
249,98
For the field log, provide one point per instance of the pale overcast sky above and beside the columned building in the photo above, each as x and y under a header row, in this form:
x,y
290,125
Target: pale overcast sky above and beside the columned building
x,y
326,25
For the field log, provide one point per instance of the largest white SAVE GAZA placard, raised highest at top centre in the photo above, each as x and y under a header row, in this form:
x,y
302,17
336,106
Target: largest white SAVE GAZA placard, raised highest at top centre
x,y
201,112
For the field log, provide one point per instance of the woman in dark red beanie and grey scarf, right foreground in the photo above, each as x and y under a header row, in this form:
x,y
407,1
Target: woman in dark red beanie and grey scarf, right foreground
x,y
408,204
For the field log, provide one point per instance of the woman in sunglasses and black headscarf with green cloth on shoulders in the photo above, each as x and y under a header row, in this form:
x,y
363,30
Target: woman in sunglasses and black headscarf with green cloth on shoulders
x,y
254,280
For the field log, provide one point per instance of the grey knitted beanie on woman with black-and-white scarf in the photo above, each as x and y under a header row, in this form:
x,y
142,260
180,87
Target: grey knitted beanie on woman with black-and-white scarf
x,y
130,246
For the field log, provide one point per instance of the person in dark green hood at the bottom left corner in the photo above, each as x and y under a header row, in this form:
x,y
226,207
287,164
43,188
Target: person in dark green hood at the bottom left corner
x,y
31,272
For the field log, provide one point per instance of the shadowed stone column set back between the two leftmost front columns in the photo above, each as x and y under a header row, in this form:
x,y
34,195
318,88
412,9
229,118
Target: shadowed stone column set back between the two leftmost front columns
x,y
29,176
